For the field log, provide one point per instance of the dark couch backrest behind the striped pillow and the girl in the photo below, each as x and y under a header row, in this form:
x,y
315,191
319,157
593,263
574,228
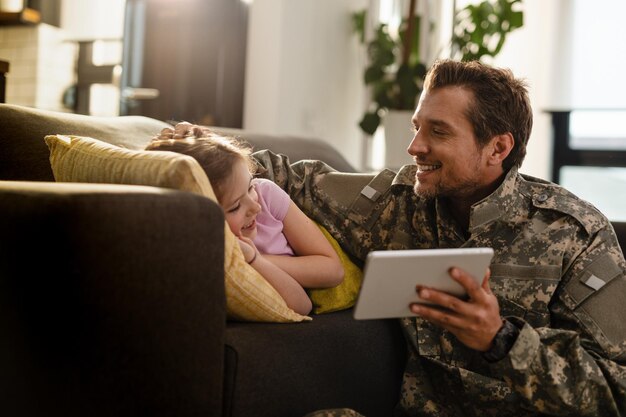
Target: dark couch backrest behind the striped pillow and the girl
x,y
24,155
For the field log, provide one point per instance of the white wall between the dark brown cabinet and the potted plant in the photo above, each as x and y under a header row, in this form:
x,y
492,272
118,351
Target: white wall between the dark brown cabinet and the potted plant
x,y
303,74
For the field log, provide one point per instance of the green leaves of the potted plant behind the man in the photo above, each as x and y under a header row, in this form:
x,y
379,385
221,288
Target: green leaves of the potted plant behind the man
x,y
395,71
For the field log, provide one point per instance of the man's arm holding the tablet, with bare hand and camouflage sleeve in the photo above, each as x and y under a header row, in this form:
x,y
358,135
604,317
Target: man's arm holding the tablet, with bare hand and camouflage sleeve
x,y
577,366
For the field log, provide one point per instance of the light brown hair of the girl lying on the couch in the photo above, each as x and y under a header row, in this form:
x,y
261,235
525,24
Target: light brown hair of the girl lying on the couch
x,y
216,154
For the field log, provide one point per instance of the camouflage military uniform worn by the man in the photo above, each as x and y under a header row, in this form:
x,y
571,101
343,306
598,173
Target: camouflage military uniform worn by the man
x,y
558,273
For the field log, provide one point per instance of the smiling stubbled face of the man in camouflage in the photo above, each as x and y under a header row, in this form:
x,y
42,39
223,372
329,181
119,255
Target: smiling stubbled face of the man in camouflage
x,y
444,147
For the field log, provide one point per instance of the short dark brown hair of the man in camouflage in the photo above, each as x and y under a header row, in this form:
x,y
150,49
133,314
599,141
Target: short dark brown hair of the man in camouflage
x,y
500,102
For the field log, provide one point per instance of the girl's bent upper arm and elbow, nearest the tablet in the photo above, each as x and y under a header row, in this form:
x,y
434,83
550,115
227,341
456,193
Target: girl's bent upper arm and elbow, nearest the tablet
x,y
317,264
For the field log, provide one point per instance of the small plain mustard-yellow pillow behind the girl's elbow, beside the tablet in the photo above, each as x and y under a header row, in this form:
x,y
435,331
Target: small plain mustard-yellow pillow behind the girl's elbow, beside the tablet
x,y
344,295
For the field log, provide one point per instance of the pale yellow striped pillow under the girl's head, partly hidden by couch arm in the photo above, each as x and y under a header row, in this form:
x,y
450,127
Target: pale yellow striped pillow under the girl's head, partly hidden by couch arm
x,y
249,297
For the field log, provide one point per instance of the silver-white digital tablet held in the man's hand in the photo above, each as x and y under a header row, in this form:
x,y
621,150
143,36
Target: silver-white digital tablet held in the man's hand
x,y
390,278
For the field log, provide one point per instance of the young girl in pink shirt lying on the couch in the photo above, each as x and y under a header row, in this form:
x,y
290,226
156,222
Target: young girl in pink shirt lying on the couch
x,y
276,237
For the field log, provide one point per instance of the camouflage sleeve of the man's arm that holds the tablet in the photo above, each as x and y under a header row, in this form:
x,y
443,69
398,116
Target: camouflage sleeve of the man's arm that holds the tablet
x,y
577,366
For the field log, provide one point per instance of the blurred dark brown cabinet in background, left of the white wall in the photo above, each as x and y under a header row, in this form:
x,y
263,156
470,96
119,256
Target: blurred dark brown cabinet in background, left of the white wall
x,y
185,60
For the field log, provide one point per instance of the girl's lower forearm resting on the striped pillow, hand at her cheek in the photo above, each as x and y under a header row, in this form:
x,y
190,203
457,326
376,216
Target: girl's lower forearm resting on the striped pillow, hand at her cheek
x,y
288,288
